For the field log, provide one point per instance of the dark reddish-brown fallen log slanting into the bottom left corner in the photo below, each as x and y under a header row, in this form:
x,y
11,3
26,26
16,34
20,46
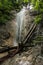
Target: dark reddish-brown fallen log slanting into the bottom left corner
x,y
9,55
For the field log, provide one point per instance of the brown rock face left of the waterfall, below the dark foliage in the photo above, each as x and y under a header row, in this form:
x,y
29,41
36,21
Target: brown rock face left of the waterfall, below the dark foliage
x,y
7,33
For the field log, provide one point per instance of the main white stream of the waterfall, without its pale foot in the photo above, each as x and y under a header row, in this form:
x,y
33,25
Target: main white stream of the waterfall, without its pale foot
x,y
19,21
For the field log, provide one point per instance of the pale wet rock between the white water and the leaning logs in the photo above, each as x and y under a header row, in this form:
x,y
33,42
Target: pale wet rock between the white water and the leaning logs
x,y
27,21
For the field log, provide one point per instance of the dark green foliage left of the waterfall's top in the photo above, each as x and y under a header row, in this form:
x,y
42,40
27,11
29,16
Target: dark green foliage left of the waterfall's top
x,y
6,6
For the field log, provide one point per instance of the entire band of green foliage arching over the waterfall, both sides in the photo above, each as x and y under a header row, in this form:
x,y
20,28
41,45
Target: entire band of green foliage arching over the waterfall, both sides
x,y
6,6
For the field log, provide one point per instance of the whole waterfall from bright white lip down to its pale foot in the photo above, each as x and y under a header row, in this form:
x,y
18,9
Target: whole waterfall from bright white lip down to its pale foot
x,y
20,17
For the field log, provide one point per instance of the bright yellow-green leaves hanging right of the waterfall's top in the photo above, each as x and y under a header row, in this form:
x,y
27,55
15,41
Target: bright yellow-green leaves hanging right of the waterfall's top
x,y
38,6
